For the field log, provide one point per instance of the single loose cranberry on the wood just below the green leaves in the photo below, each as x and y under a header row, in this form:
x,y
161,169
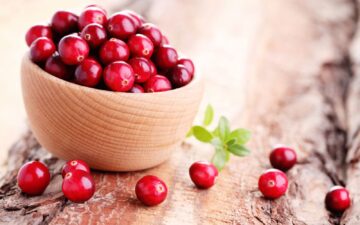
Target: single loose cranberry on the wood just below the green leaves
x,y
203,174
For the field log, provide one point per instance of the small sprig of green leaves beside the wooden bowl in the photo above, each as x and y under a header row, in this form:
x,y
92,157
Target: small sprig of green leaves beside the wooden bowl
x,y
224,140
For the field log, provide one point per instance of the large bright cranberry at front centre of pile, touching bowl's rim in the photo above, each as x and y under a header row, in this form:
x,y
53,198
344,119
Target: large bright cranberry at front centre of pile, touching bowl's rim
x,y
119,76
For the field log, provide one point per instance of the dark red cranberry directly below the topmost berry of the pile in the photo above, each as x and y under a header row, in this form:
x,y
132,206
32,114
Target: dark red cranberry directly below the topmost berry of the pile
x,y
94,34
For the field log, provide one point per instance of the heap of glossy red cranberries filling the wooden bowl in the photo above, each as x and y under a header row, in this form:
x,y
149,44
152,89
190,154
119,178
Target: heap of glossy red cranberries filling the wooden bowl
x,y
121,52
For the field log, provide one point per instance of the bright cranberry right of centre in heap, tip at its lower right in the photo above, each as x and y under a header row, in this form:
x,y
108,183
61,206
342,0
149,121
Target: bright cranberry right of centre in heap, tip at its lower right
x,y
141,46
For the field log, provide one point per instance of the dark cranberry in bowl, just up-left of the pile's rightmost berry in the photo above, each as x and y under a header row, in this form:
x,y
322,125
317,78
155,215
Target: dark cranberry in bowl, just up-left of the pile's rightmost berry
x,y
166,57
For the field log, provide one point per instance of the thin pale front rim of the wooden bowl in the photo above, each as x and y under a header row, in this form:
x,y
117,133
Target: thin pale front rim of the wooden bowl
x,y
45,75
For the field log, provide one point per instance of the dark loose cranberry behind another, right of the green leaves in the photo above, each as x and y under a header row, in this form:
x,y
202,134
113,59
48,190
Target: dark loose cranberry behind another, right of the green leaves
x,y
283,158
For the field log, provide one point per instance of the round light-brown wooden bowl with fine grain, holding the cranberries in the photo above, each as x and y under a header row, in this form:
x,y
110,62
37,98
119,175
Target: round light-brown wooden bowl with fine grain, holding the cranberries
x,y
111,131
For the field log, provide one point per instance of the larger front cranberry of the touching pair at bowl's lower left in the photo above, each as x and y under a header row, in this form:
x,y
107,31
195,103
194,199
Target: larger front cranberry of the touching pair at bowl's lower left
x,y
78,186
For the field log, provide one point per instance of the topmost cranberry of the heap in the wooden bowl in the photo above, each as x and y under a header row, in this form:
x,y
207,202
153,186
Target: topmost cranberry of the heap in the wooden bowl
x,y
92,15
